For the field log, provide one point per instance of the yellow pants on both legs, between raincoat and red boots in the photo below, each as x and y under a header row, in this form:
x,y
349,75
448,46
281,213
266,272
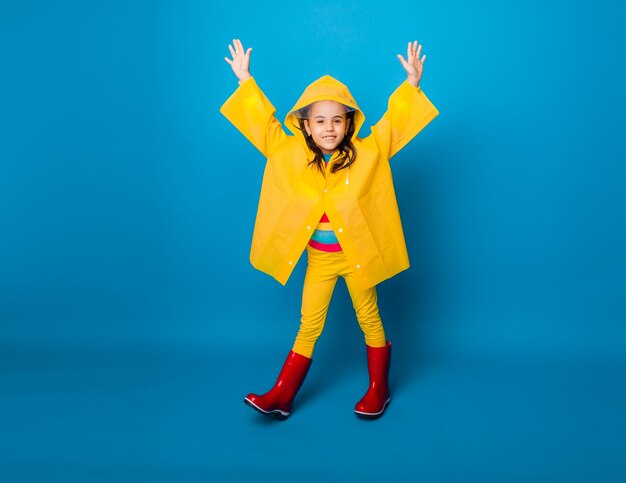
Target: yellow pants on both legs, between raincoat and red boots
x,y
319,282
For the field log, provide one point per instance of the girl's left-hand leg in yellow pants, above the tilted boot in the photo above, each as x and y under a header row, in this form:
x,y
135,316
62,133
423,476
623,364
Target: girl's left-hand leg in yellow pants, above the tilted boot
x,y
319,283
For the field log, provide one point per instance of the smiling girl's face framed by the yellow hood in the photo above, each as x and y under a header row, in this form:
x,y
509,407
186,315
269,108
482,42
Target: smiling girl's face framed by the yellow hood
x,y
327,124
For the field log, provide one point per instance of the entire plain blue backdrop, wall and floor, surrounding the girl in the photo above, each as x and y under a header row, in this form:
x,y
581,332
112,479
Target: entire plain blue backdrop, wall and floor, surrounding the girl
x,y
132,323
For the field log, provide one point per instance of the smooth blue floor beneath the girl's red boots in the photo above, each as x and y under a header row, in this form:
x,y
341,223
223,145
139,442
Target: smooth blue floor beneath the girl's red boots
x,y
163,414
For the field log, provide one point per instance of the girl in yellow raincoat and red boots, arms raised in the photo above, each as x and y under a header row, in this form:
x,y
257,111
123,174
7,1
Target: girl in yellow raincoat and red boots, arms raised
x,y
331,192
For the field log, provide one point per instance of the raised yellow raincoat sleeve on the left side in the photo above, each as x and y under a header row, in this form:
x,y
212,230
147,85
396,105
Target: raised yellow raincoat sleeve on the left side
x,y
253,115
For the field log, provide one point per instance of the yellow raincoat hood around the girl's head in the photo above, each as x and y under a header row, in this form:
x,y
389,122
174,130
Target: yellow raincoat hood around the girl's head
x,y
325,88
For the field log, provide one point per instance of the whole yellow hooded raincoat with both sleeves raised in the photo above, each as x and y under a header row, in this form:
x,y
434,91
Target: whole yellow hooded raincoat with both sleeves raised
x,y
360,201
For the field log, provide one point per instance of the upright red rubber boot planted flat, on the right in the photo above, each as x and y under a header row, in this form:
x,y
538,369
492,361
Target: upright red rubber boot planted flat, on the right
x,y
377,396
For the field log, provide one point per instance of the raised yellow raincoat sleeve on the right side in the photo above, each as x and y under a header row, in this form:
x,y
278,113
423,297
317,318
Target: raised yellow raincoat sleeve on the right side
x,y
408,112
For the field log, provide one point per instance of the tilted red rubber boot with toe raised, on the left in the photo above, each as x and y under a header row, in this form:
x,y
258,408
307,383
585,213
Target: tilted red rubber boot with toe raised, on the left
x,y
279,400
